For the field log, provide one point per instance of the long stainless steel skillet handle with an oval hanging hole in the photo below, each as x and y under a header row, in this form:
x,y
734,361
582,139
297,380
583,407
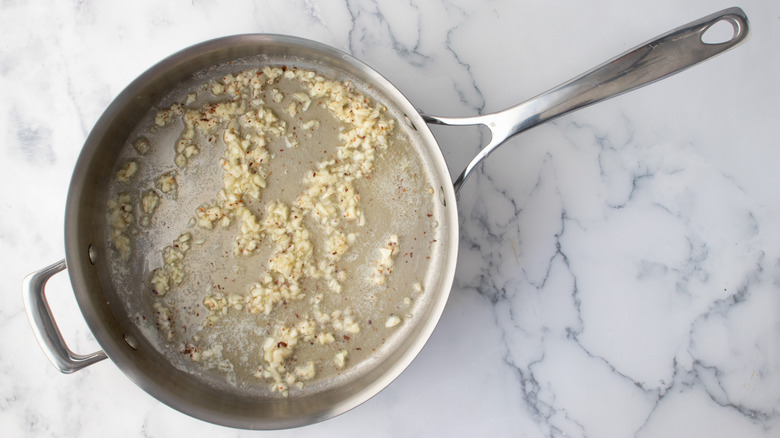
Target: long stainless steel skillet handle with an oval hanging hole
x,y
664,56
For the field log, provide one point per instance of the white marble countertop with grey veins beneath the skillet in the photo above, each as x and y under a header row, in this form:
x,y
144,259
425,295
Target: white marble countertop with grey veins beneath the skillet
x,y
619,268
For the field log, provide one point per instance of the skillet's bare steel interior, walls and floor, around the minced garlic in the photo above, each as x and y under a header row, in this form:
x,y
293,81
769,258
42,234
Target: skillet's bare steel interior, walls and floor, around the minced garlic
x,y
403,196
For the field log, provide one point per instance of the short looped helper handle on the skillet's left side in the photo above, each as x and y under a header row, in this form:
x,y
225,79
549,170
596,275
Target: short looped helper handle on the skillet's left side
x,y
44,326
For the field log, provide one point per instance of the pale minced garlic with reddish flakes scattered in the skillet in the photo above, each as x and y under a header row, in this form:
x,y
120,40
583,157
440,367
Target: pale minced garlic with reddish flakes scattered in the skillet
x,y
327,202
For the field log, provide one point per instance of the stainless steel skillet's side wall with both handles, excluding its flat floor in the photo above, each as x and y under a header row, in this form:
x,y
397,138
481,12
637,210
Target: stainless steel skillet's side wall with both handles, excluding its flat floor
x,y
100,301
